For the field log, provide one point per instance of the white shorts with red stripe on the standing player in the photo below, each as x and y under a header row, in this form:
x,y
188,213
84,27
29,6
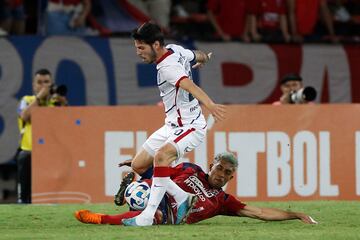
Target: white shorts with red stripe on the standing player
x,y
184,139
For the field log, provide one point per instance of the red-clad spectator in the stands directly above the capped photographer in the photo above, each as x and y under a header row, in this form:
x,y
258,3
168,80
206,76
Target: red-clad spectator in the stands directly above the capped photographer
x,y
303,17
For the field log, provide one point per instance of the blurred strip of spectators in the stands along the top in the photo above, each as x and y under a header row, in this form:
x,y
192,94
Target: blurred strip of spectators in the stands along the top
x,y
281,21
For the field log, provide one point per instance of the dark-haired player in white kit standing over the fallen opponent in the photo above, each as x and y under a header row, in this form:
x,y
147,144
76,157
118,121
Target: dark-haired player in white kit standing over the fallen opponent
x,y
185,125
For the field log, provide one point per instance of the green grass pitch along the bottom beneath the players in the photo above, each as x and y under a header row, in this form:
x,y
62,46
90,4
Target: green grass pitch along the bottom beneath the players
x,y
337,220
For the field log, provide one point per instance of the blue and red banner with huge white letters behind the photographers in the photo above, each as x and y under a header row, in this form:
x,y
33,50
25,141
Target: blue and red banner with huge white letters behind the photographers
x,y
106,71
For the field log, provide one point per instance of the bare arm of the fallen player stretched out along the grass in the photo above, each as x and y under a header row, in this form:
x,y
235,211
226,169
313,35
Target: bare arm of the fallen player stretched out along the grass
x,y
274,214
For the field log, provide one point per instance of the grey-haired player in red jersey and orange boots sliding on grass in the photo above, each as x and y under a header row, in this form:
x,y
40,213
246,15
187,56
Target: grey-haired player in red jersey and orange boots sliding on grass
x,y
212,200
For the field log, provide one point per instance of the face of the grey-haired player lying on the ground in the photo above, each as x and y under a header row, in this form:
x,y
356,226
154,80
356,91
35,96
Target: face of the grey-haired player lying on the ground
x,y
220,173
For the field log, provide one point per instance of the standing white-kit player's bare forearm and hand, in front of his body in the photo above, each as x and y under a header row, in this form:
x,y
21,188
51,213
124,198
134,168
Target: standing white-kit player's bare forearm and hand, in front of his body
x,y
217,110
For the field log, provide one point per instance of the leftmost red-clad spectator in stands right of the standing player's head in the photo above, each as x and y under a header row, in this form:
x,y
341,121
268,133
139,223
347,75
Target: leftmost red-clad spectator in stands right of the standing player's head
x,y
228,19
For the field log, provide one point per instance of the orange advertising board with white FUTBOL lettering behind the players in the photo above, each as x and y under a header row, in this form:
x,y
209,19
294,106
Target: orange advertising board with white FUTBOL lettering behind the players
x,y
285,153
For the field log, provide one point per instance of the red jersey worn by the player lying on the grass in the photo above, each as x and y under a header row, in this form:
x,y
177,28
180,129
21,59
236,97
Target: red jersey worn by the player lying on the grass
x,y
211,201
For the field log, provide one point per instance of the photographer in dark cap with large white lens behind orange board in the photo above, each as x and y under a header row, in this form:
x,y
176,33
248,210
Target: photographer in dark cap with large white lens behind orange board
x,y
293,91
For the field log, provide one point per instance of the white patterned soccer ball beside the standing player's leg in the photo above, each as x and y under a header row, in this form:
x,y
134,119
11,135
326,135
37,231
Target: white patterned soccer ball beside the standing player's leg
x,y
137,195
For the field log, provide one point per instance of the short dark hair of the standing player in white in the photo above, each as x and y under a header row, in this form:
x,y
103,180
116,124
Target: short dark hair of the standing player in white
x,y
149,33
